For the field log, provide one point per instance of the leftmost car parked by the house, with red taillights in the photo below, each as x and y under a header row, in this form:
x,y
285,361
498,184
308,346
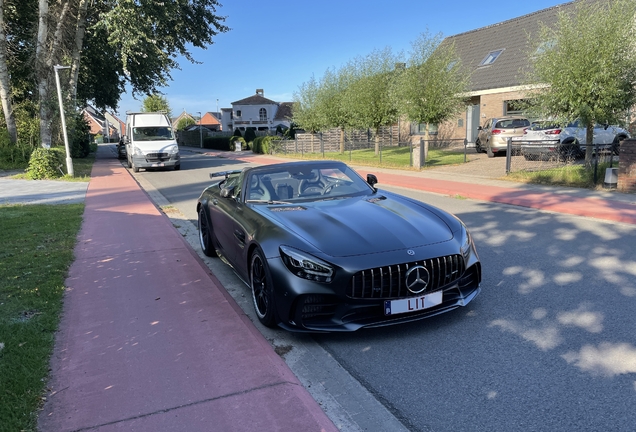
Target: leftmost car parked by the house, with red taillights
x,y
492,137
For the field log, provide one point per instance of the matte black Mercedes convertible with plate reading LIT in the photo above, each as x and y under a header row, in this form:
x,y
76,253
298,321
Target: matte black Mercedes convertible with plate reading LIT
x,y
323,250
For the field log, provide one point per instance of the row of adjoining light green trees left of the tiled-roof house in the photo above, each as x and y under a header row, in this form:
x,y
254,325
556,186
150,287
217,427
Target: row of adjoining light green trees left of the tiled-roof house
x,y
374,90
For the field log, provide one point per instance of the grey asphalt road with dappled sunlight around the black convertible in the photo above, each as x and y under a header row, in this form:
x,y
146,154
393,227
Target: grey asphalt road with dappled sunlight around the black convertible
x,y
549,345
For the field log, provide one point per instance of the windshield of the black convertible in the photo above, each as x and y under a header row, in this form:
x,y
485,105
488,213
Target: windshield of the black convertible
x,y
304,182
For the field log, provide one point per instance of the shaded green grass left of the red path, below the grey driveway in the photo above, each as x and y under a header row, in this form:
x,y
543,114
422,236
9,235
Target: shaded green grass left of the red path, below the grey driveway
x,y
37,251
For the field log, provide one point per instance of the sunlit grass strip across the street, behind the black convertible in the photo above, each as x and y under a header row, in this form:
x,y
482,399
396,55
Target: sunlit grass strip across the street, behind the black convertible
x,y
392,157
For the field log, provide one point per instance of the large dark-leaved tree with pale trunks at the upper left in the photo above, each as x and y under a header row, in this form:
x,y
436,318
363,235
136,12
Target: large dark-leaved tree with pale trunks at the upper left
x,y
108,43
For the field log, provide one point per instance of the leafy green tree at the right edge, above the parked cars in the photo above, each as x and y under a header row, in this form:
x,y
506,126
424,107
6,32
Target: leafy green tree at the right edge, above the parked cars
x,y
585,66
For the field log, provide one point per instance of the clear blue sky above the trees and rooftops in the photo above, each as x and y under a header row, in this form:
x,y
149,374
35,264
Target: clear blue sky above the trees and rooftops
x,y
277,45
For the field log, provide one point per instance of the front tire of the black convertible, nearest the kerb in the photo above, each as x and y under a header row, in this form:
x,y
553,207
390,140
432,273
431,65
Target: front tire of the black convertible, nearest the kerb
x,y
262,289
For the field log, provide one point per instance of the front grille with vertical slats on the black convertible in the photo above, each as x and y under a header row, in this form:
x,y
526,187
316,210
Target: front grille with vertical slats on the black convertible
x,y
390,281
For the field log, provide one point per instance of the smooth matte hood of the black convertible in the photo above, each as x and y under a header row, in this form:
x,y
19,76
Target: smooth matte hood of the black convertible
x,y
356,226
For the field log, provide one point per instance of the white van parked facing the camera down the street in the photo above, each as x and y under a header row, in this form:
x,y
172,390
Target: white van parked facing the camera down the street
x,y
150,141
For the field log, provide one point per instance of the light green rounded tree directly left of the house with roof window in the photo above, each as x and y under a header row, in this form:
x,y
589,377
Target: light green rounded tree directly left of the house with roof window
x,y
431,88
